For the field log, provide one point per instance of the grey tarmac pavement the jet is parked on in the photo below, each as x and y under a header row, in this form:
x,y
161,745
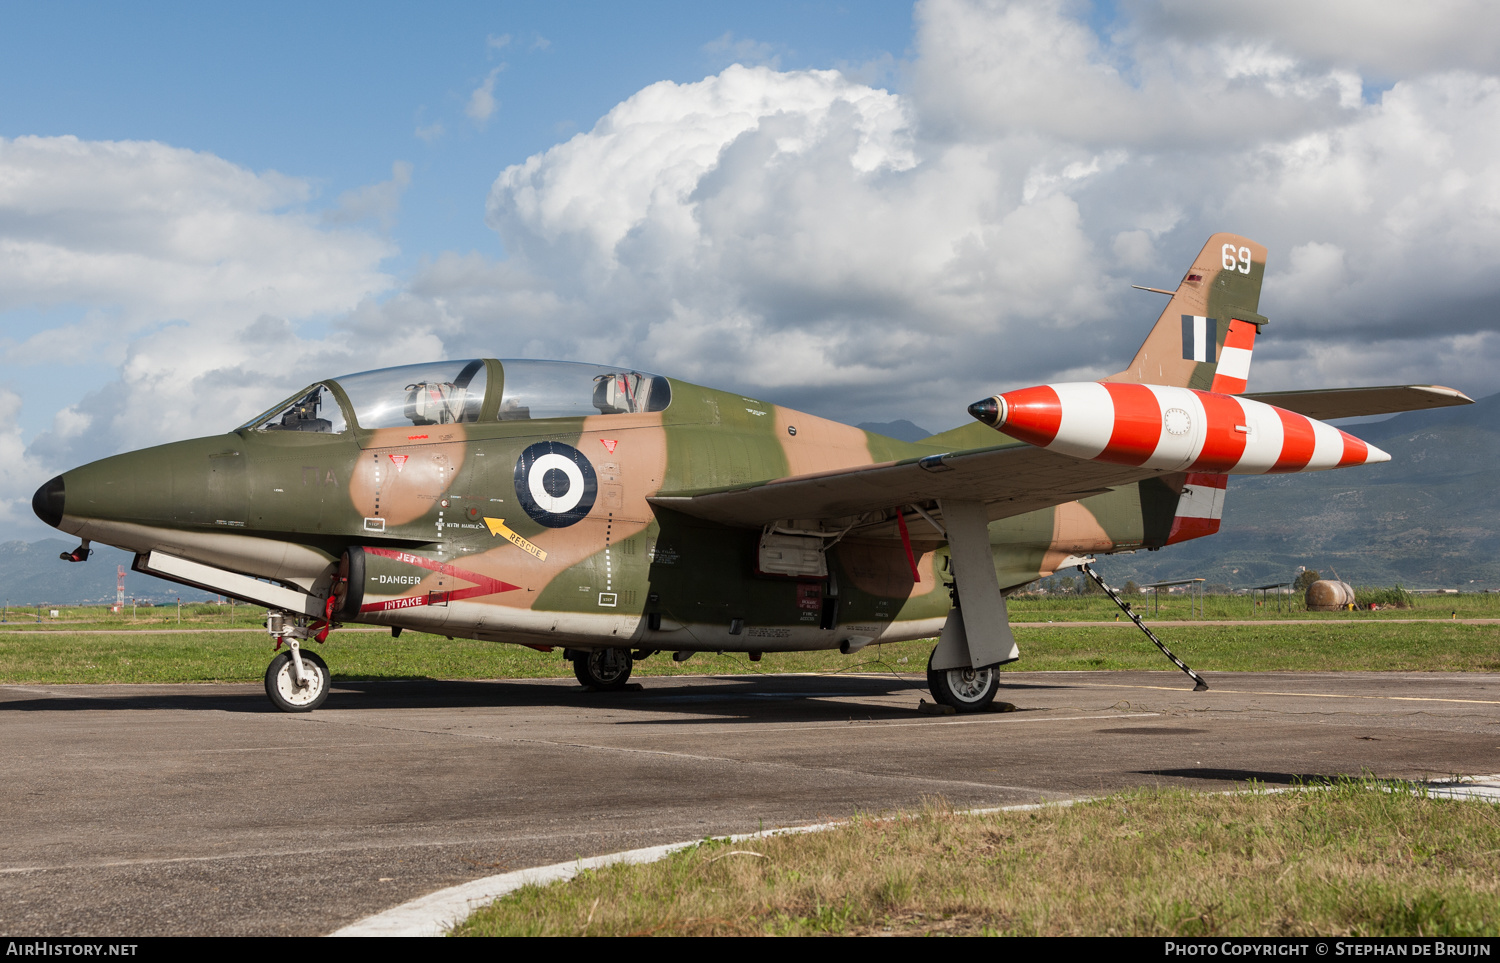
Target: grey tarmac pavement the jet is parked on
x,y
137,811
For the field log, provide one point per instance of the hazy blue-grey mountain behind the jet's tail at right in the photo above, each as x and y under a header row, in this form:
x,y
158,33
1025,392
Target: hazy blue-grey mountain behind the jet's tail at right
x,y
1429,518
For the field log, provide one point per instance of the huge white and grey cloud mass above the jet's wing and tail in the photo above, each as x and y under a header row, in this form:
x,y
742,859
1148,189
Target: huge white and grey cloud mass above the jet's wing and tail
x,y
875,254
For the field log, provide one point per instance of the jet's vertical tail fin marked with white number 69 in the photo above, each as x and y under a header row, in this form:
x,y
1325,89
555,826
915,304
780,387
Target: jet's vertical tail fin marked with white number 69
x,y
1205,337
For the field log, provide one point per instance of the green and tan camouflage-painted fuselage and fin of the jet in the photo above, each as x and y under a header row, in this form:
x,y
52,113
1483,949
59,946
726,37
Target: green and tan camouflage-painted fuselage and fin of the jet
x,y
445,545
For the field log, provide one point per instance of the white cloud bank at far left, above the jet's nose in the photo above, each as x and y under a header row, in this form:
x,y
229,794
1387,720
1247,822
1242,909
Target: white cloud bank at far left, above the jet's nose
x,y
163,260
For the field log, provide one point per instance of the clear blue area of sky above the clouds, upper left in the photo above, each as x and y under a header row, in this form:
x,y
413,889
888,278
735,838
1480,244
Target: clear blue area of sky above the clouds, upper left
x,y
337,94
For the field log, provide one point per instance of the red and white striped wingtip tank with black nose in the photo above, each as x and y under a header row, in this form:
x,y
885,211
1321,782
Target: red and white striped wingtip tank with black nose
x,y
1174,430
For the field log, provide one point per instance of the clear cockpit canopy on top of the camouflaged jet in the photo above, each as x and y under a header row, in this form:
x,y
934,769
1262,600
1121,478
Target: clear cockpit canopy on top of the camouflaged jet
x,y
457,394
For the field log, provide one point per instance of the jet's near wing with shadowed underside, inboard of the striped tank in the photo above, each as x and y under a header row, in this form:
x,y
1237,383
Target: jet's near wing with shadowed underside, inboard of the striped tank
x,y
1009,479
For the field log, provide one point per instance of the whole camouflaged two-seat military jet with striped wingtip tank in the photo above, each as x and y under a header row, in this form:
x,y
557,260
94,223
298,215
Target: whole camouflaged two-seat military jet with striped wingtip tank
x,y
617,514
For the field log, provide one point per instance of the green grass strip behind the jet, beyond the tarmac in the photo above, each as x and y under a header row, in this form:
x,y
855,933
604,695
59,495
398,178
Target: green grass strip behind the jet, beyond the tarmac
x,y
211,656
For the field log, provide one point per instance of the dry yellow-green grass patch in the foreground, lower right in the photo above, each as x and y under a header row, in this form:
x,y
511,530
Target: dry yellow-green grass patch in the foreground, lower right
x,y
1351,859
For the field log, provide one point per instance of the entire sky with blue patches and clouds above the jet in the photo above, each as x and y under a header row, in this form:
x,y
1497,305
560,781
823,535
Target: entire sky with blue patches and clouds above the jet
x,y
865,211
